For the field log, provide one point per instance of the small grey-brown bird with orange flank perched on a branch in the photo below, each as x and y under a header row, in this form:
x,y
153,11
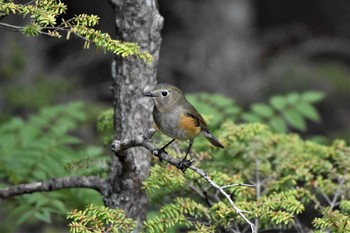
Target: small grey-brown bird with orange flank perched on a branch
x,y
178,119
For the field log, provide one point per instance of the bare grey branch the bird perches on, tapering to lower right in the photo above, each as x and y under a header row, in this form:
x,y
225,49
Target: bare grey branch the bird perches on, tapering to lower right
x,y
119,146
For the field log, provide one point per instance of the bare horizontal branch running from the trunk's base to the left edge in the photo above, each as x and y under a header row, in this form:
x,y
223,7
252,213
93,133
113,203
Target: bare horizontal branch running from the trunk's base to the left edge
x,y
92,182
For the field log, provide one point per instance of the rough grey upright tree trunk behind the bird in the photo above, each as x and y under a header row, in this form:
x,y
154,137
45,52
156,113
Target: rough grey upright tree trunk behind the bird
x,y
136,21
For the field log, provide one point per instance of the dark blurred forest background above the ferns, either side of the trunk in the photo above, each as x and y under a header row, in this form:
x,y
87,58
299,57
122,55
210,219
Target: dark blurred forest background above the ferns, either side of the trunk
x,y
247,50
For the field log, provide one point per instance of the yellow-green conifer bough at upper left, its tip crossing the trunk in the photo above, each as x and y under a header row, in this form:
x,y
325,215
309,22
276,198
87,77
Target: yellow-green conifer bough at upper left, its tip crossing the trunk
x,y
46,18
